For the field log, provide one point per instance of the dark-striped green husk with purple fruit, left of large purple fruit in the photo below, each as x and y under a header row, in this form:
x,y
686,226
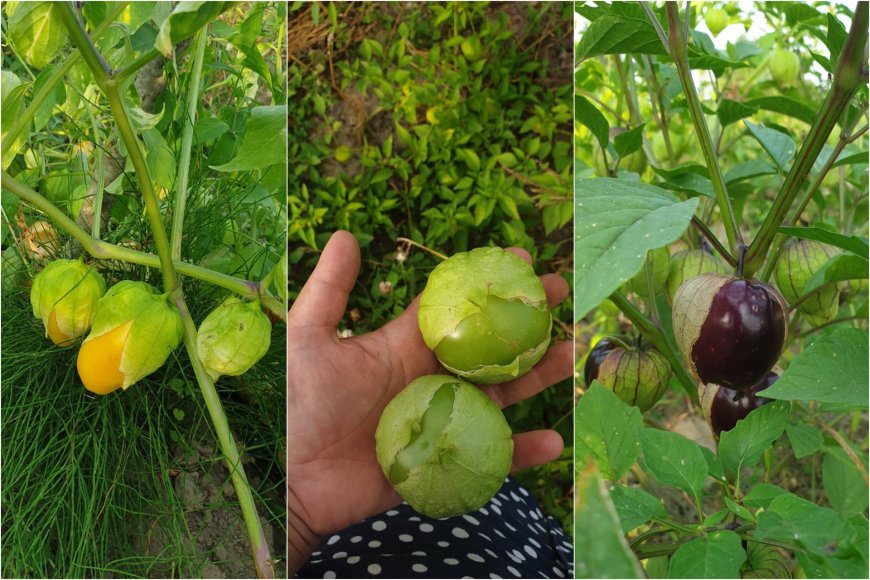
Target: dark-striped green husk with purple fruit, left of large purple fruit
x,y
637,376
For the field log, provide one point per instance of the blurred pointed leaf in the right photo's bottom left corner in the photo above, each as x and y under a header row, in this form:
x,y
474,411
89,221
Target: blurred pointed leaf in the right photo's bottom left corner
x,y
600,548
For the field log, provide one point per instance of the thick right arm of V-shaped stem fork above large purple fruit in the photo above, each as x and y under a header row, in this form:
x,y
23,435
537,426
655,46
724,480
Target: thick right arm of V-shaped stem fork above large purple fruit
x,y
848,76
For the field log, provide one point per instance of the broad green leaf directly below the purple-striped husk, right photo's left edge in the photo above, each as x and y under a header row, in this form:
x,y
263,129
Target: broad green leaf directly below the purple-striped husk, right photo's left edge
x,y
606,430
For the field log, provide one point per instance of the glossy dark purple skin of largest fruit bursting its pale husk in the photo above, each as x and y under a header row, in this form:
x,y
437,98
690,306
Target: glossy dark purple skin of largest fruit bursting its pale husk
x,y
742,336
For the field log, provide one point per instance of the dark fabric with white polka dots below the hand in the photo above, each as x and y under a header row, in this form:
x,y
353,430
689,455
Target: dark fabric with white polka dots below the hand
x,y
509,537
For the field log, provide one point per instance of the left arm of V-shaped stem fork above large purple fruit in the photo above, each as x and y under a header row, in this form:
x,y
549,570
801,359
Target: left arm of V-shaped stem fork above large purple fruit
x,y
681,61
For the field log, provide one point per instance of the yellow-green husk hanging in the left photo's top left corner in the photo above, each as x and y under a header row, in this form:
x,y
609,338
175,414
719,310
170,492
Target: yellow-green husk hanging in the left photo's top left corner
x,y
37,32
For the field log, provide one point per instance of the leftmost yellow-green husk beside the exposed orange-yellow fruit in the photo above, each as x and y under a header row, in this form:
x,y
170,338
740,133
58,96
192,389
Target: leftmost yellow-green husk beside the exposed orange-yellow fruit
x,y
64,296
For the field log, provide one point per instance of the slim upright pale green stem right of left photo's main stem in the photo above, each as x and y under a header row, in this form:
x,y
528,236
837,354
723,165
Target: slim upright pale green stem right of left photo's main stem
x,y
187,143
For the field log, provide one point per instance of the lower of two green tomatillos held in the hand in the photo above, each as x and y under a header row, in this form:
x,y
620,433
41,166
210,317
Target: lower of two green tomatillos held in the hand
x,y
444,446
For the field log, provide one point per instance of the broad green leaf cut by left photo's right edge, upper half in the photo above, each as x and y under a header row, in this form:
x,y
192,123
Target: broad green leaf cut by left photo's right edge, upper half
x,y
265,141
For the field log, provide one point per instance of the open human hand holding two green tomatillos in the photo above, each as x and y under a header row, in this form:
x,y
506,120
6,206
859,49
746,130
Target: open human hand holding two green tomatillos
x,y
339,387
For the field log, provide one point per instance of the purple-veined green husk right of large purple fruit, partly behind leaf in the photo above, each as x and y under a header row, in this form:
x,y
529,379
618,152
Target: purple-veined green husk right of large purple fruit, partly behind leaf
x,y
798,263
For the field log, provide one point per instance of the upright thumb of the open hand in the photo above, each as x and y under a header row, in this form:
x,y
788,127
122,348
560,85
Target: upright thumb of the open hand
x,y
324,297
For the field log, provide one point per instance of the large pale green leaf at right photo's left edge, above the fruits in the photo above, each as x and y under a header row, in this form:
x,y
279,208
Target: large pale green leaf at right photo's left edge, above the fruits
x,y
616,223
